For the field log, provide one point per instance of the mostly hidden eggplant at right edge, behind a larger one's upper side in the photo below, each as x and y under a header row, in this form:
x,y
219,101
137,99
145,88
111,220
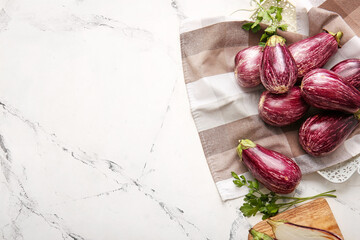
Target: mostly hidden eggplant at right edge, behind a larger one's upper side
x,y
349,70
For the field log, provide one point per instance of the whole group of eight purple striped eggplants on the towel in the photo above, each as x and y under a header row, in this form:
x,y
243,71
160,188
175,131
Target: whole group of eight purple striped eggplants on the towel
x,y
280,69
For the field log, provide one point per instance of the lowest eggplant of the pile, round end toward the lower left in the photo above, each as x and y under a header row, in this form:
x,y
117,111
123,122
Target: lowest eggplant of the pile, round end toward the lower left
x,y
323,133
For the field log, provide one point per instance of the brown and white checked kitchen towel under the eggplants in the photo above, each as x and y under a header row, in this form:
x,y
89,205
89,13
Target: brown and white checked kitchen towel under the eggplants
x,y
224,112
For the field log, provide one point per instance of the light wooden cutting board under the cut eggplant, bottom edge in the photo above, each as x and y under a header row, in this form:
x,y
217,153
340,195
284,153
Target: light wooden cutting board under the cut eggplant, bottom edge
x,y
316,213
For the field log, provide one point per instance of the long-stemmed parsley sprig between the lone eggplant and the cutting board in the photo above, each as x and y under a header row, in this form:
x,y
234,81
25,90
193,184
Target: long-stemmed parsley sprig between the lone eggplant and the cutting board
x,y
266,203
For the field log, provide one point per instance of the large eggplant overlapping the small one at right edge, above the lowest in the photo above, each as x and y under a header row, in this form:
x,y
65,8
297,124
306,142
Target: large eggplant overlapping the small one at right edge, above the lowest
x,y
325,89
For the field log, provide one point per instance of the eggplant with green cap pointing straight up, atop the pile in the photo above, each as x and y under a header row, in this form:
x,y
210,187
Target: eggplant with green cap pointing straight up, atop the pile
x,y
278,72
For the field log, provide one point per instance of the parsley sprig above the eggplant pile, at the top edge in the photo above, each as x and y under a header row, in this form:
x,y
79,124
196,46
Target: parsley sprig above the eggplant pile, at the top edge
x,y
273,15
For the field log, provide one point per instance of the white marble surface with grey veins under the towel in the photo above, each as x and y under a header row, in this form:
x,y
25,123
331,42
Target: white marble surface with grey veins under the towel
x,y
96,136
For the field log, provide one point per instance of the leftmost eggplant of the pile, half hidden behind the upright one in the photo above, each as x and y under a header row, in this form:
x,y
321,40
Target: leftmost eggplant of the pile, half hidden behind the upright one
x,y
247,65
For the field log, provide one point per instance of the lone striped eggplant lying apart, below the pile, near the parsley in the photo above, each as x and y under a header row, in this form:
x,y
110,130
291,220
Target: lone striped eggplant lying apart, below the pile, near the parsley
x,y
275,171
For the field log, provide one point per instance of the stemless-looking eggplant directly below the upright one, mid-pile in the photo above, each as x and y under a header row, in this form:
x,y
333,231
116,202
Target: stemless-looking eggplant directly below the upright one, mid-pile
x,y
282,109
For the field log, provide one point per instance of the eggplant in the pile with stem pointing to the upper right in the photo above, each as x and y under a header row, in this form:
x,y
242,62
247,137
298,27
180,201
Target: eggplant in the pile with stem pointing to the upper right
x,y
314,52
